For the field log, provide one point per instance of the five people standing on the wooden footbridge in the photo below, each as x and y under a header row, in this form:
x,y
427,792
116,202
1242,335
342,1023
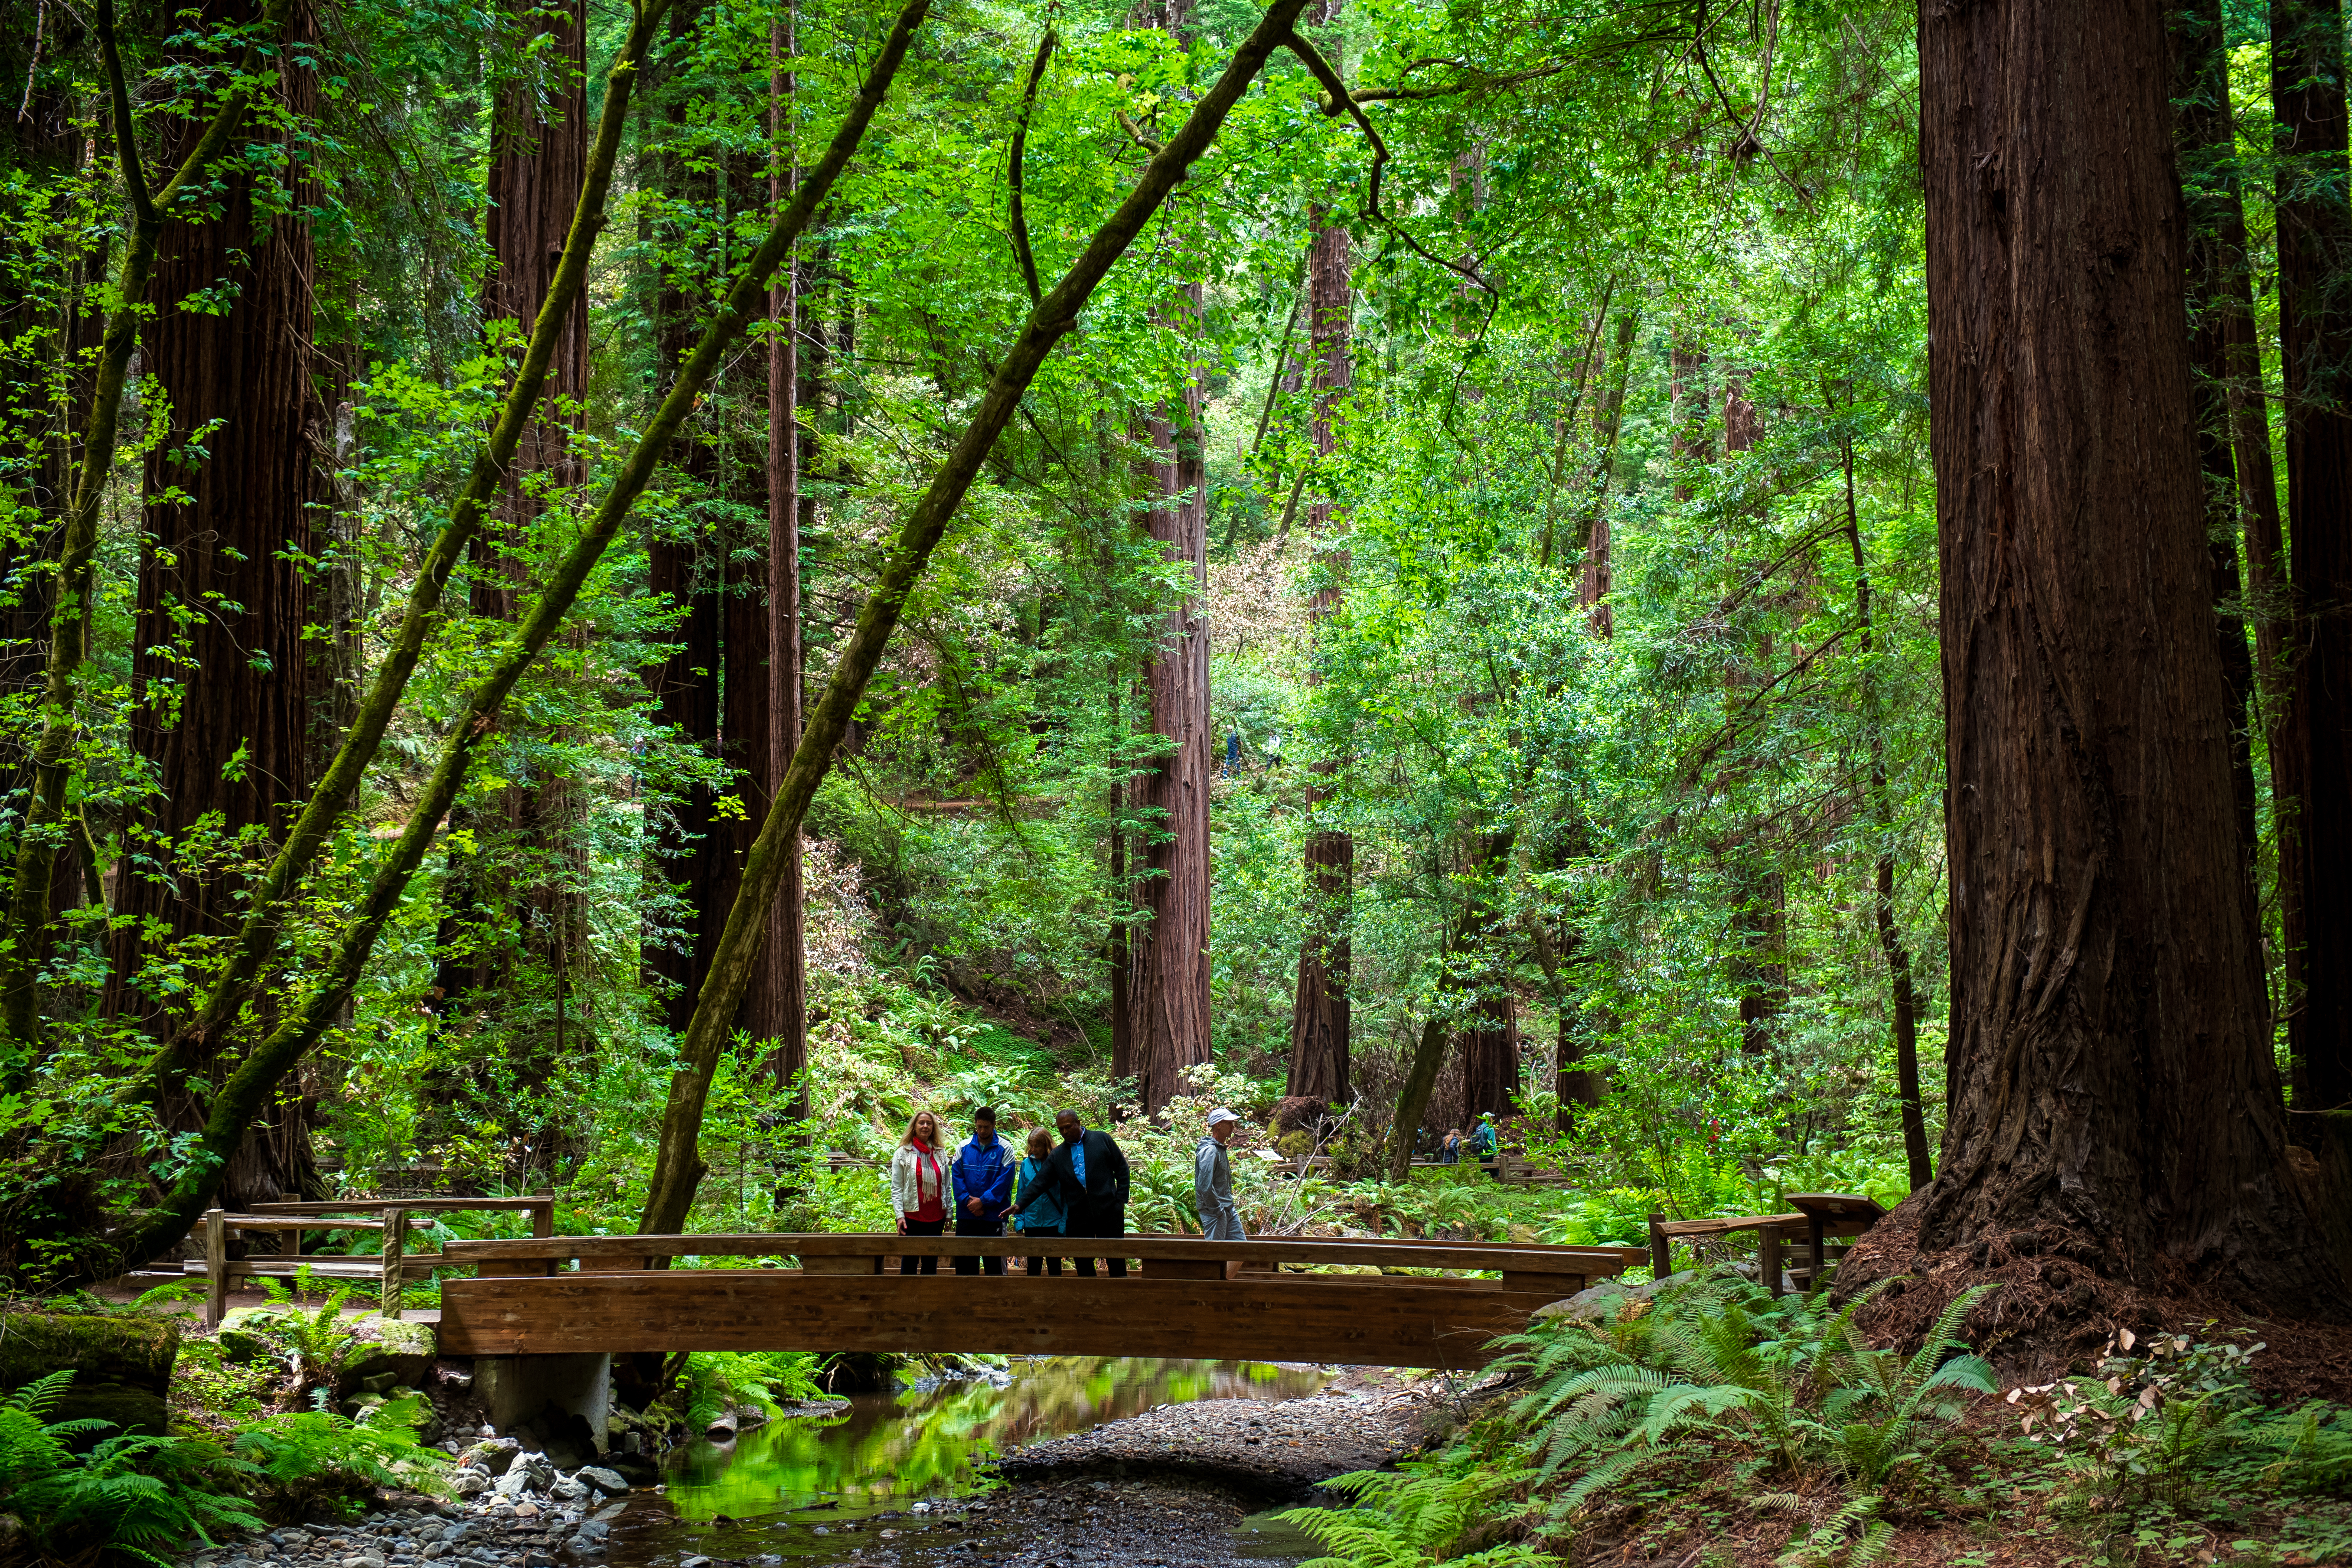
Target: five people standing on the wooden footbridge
x,y
1074,1188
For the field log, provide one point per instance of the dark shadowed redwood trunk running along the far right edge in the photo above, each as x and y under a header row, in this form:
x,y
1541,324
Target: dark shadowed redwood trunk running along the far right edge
x,y
2316,330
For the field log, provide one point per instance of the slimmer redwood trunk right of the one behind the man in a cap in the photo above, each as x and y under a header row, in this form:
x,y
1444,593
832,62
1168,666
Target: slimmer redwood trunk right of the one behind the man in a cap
x,y
1321,1021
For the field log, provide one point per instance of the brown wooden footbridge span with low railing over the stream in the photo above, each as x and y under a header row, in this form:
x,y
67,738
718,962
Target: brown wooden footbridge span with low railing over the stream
x,y
1189,1301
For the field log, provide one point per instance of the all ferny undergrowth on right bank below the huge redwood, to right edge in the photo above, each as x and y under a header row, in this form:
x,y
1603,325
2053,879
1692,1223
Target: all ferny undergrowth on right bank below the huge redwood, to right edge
x,y
1720,1414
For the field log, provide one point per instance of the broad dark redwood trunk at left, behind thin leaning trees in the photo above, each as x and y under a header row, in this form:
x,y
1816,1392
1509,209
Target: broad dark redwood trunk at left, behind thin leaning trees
x,y
227,695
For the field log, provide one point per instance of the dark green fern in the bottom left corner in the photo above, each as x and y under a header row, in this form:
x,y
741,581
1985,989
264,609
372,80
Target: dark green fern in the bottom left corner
x,y
128,1494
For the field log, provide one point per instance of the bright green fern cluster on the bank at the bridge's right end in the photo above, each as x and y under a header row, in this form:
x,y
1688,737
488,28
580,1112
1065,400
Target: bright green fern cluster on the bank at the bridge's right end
x,y
1784,1393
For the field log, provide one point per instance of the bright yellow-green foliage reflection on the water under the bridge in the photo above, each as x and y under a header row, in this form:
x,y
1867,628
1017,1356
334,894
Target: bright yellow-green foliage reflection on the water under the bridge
x,y
895,1449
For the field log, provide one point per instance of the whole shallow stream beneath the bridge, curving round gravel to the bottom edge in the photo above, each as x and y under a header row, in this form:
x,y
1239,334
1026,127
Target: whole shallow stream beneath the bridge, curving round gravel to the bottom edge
x,y
904,1480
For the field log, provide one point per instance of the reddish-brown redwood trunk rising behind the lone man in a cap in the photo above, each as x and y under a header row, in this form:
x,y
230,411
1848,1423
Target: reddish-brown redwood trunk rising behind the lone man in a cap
x,y
1168,986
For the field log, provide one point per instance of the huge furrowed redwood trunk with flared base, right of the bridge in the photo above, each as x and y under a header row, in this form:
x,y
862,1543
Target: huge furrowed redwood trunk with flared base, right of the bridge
x,y
2113,1099
